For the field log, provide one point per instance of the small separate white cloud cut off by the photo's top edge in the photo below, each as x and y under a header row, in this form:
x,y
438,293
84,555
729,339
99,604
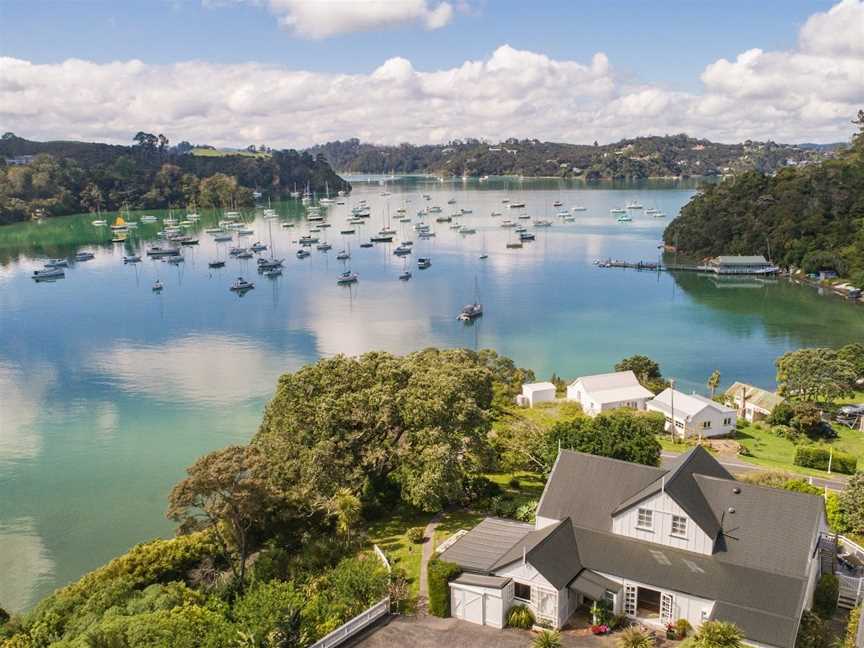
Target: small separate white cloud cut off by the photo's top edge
x,y
325,18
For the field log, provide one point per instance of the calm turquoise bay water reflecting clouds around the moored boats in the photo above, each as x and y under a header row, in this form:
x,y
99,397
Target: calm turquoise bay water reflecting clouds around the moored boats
x,y
108,391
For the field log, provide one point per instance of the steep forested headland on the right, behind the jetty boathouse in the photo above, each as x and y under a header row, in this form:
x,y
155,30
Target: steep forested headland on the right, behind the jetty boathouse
x,y
812,217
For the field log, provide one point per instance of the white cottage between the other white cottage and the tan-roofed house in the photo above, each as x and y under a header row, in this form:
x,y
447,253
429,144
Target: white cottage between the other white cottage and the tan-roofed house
x,y
693,415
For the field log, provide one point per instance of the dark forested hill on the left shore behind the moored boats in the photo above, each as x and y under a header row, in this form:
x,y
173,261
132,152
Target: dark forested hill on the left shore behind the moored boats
x,y
64,177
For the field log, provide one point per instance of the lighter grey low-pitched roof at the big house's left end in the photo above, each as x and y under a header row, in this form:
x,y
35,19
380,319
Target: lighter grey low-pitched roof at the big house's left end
x,y
482,547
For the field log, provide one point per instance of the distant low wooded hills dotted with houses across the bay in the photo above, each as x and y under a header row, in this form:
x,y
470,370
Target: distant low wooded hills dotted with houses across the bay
x,y
675,155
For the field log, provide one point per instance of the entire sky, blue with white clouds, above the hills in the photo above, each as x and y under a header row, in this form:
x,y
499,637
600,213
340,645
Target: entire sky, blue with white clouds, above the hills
x,y
292,73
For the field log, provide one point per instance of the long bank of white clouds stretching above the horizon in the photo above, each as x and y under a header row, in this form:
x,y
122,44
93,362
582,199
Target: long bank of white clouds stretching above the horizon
x,y
808,93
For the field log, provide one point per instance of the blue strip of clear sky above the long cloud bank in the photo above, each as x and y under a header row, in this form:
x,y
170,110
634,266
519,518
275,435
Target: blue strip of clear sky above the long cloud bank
x,y
668,42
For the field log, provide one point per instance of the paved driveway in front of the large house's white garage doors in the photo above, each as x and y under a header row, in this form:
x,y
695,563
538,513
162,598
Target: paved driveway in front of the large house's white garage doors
x,y
432,632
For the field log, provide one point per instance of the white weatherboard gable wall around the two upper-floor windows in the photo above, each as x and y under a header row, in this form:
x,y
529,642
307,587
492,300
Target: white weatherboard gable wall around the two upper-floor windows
x,y
663,508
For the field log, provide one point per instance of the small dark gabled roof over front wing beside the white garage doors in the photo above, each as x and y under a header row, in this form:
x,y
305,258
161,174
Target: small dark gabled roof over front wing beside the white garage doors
x,y
551,550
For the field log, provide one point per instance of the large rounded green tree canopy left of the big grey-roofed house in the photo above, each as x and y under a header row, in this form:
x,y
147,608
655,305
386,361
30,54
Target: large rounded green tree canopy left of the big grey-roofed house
x,y
419,420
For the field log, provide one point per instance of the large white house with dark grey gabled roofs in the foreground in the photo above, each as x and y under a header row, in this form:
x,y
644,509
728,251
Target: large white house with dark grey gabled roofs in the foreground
x,y
684,542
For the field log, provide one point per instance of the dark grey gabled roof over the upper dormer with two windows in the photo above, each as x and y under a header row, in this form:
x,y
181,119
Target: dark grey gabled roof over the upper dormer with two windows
x,y
679,484
